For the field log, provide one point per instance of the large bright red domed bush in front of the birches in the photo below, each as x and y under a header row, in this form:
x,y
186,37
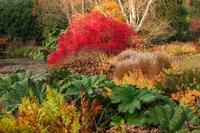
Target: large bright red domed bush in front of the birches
x,y
93,31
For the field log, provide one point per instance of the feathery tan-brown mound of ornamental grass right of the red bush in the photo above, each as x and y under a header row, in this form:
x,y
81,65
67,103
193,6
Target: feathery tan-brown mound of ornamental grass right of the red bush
x,y
150,64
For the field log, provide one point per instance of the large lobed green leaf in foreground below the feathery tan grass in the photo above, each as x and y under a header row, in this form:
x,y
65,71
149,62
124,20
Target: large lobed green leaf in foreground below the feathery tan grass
x,y
131,98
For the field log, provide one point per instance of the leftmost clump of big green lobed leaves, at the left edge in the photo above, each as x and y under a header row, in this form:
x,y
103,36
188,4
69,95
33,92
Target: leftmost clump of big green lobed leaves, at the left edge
x,y
19,82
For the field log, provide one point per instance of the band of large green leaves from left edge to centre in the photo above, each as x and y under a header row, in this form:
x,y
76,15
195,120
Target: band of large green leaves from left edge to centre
x,y
67,84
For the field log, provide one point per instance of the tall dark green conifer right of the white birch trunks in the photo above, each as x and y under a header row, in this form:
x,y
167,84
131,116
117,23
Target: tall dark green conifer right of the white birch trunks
x,y
176,13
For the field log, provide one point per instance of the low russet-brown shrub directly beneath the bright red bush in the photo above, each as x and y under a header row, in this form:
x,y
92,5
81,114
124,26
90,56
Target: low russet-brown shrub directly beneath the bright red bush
x,y
96,61
